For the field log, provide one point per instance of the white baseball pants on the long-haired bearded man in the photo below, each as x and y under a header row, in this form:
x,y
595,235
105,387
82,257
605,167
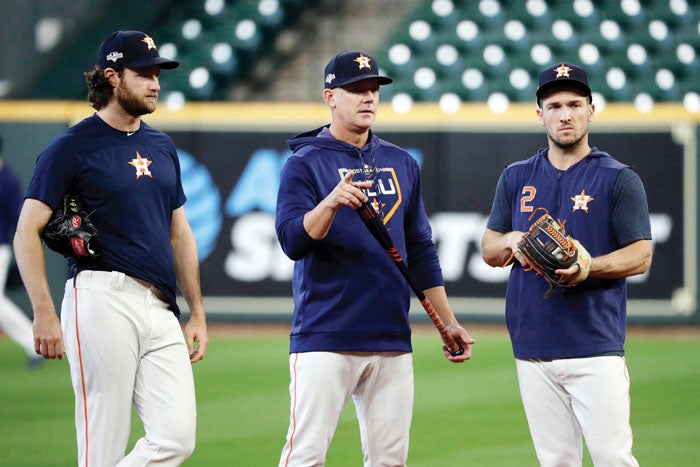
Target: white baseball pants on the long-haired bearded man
x,y
124,346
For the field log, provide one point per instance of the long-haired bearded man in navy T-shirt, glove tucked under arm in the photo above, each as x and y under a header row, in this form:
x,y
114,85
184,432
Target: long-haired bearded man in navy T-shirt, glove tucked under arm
x,y
114,178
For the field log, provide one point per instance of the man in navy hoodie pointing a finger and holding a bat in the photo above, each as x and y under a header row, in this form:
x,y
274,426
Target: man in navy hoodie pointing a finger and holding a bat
x,y
351,335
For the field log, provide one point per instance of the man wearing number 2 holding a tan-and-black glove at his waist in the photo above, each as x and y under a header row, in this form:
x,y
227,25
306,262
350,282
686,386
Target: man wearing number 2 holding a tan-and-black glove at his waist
x,y
574,224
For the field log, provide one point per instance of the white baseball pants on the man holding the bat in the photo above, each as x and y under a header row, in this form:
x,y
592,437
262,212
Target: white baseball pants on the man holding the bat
x,y
381,386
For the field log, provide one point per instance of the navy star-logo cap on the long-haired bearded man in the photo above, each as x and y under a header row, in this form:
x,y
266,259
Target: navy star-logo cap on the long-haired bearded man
x,y
131,49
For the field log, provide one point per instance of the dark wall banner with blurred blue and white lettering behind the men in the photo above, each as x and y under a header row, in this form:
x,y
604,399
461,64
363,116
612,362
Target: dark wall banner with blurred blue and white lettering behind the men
x,y
231,181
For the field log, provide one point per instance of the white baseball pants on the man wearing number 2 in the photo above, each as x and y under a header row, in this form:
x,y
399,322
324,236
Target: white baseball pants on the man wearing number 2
x,y
565,399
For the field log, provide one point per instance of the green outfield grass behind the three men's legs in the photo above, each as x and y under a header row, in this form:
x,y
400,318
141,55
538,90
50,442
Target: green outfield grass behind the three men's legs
x,y
464,414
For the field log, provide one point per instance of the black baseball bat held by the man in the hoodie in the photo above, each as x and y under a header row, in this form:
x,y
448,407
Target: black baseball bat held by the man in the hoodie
x,y
379,232
